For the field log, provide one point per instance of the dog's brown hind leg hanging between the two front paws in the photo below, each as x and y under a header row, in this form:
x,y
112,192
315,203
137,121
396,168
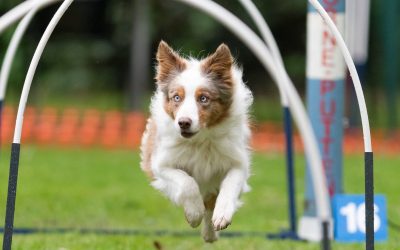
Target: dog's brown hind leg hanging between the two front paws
x,y
208,232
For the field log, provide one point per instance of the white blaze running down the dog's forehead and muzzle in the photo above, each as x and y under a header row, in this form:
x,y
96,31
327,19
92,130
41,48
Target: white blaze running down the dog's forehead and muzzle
x,y
191,79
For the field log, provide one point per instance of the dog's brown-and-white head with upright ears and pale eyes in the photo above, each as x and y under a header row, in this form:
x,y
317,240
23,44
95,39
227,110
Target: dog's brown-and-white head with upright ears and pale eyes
x,y
198,94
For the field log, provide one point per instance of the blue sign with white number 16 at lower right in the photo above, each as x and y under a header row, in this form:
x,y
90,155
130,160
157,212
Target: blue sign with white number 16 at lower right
x,y
349,218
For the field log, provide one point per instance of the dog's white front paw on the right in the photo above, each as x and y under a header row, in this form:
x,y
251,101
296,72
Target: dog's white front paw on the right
x,y
222,215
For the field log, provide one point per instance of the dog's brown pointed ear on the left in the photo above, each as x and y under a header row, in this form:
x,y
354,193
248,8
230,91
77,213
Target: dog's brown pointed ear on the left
x,y
169,62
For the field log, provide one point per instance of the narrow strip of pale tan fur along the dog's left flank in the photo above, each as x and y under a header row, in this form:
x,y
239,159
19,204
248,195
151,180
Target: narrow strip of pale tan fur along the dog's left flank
x,y
148,147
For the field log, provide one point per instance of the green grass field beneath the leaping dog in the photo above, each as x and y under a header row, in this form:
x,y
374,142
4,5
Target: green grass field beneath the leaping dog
x,y
103,189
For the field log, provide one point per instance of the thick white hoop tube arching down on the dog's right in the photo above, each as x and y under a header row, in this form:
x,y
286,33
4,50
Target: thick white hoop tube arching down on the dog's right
x,y
259,49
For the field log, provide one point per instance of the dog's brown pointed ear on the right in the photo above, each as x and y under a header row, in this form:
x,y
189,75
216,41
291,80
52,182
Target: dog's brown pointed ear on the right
x,y
219,64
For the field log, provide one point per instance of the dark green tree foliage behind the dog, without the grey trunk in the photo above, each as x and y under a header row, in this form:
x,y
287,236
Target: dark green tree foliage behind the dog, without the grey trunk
x,y
90,49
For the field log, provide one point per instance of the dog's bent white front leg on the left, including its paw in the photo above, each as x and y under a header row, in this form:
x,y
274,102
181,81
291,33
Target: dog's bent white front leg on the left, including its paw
x,y
183,190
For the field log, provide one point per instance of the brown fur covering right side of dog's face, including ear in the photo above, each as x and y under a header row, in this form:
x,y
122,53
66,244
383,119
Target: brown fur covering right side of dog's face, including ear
x,y
218,68
